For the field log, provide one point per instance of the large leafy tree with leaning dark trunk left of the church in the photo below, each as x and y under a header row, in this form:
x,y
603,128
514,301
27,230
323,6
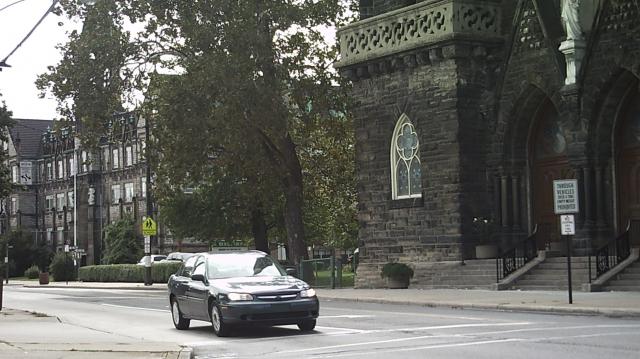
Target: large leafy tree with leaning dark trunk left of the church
x,y
255,84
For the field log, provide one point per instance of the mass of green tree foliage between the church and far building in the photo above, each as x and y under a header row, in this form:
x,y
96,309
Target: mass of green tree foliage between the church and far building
x,y
257,119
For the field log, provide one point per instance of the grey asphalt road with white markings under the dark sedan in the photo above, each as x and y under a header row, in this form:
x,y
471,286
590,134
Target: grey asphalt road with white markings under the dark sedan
x,y
347,330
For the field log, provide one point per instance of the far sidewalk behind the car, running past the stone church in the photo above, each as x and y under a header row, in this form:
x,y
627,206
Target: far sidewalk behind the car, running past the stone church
x,y
626,304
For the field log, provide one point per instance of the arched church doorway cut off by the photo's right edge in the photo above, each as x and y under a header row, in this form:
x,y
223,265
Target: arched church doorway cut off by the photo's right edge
x,y
628,165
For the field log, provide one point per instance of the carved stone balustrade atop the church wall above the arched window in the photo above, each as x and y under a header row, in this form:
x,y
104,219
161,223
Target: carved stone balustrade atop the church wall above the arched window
x,y
418,26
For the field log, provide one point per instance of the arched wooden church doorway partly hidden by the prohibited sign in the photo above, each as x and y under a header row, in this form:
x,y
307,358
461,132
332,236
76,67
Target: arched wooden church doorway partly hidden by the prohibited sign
x,y
549,162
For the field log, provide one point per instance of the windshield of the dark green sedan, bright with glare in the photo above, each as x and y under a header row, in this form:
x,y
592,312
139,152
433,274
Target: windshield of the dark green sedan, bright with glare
x,y
242,265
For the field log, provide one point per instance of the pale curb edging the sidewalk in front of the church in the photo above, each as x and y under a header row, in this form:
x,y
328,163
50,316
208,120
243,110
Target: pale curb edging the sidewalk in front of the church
x,y
591,311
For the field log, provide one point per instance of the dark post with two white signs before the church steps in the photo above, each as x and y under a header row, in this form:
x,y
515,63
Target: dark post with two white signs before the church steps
x,y
565,198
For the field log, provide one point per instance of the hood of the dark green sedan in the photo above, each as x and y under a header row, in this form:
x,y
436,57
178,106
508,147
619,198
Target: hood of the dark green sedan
x,y
259,284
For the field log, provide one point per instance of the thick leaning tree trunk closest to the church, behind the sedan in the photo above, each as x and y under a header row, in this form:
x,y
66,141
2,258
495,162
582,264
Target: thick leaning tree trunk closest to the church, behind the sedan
x,y
293,208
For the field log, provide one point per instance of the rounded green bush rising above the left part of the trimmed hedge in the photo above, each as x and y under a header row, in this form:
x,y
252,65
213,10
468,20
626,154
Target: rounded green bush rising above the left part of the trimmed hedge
x,y
121,242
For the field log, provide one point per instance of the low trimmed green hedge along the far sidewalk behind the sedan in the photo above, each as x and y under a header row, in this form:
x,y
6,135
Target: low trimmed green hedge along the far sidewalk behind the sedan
x,y
160,272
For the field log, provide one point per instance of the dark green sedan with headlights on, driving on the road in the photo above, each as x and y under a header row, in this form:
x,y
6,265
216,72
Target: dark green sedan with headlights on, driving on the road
x,y
239,288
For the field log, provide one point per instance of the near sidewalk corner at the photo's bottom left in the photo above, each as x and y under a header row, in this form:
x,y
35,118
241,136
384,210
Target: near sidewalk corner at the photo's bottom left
x,y
35,335
